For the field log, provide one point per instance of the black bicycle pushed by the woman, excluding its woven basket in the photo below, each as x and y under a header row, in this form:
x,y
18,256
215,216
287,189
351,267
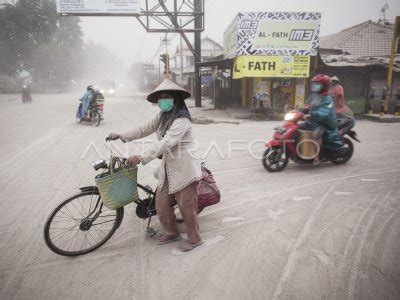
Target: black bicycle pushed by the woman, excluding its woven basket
x,y
82,223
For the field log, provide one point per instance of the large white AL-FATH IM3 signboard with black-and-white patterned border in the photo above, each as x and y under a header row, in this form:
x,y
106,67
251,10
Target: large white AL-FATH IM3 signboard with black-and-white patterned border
x,y
274,33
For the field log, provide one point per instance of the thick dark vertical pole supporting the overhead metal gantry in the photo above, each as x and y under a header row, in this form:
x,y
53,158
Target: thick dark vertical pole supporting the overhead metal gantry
x,y
198,24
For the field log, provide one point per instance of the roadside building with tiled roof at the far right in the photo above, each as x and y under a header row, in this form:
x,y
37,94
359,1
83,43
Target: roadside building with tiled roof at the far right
x,y
359,56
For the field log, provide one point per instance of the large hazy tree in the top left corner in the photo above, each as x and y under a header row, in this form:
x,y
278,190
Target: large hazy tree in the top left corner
x,y
33,37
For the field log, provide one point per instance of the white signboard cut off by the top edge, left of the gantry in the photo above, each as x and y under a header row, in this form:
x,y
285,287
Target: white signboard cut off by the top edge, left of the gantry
x,y
98,7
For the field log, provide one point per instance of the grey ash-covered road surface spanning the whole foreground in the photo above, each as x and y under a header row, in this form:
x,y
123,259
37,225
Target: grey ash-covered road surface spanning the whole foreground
x,y
305,233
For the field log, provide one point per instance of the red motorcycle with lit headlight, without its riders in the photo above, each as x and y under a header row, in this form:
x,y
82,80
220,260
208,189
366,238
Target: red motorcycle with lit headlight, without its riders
x,y
287,142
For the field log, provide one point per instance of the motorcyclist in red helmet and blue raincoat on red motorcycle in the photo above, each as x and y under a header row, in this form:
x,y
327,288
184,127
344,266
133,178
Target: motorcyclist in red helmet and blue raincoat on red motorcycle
x,y
321,117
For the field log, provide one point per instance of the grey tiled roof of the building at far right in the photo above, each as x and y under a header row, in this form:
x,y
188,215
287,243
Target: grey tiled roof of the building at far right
x,y
365,39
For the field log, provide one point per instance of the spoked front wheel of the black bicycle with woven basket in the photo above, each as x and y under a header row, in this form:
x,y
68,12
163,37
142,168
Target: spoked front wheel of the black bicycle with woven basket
x,y
81,224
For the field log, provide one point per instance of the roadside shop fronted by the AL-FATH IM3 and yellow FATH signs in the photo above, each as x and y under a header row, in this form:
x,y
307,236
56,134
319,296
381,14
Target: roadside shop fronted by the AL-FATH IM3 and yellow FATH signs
x,y
266,52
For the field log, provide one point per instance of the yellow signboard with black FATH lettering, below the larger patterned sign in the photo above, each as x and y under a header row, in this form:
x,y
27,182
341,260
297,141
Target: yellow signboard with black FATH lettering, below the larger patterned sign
x,y
271,66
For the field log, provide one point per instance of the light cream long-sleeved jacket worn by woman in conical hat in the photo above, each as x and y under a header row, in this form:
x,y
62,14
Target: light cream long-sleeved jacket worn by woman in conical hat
x,y
180,161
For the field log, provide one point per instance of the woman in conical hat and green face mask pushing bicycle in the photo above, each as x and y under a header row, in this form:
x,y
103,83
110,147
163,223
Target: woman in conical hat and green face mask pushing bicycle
x,y
180,168
